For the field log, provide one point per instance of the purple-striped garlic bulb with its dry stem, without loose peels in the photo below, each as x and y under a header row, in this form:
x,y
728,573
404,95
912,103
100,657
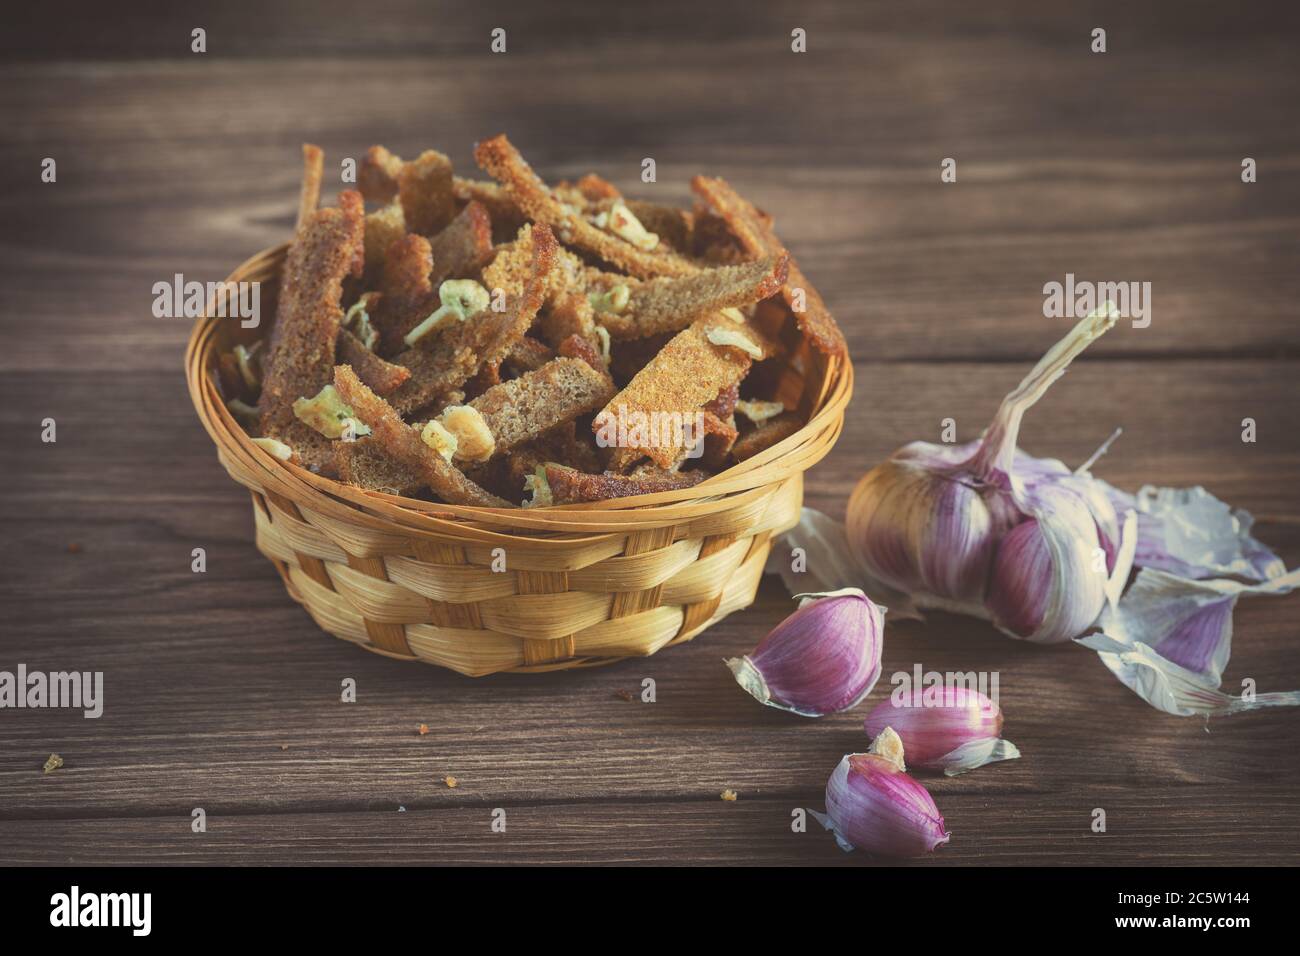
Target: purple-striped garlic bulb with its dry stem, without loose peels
x,y
983,529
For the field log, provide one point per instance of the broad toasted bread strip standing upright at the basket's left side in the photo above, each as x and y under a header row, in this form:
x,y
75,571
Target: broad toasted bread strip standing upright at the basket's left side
x,y
300,360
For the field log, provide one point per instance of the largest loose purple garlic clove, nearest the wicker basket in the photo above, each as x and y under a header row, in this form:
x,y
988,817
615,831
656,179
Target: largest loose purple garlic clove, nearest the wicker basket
x,y
821,660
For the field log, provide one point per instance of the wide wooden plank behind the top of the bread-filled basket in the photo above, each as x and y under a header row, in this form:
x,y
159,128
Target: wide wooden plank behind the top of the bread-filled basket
x,y
915,269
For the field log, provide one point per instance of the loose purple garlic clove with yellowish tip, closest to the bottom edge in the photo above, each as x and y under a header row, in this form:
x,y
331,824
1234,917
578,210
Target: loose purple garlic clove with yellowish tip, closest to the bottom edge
x,y
872,804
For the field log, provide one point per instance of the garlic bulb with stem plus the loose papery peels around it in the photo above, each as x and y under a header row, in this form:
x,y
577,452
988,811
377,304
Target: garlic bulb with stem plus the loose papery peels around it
x,y
1046,553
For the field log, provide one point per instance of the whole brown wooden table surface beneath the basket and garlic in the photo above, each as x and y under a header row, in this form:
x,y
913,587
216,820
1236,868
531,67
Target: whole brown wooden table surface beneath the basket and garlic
x,y
220,691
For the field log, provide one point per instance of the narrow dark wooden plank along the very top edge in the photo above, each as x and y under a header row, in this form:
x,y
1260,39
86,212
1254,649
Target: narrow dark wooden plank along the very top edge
x,y
411,28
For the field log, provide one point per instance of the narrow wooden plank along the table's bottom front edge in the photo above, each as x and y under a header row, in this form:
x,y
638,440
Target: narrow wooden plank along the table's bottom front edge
x,y
1143,829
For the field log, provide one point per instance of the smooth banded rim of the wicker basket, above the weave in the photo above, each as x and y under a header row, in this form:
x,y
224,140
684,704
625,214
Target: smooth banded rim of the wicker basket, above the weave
x,y
747,485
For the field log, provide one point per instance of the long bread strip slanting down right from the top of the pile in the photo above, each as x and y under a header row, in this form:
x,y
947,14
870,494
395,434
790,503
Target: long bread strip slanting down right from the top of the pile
x,y
504,162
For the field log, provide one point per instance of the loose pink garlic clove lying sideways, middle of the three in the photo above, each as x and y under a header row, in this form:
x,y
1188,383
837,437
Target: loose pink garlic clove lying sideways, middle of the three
x,y
950,729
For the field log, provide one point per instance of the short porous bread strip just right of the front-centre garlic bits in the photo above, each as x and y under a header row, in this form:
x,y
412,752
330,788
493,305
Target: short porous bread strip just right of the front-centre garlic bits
x,y
522,409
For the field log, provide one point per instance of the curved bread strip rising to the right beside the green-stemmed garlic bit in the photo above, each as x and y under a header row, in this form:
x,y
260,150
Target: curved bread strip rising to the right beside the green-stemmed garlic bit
x,y
457,354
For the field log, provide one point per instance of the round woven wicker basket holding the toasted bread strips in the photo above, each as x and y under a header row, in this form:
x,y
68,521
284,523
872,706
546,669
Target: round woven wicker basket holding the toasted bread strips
x,y
583,585
